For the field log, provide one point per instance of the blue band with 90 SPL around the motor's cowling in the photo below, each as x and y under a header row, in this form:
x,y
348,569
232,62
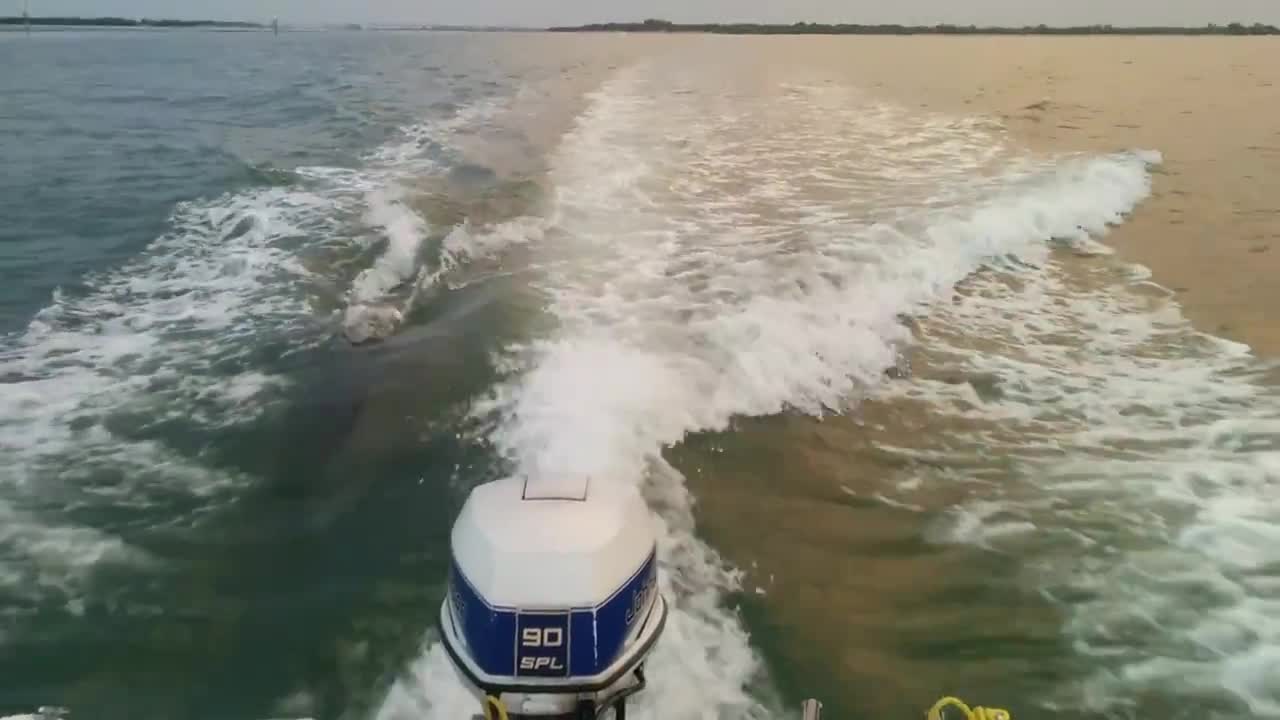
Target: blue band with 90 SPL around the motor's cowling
x,y
595,635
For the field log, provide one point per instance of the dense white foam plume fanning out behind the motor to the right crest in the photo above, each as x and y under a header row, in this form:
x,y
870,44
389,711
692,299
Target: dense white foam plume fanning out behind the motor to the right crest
x,y
702,270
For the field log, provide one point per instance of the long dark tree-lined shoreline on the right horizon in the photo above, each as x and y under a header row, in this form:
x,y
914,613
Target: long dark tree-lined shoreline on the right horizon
x,y
820,29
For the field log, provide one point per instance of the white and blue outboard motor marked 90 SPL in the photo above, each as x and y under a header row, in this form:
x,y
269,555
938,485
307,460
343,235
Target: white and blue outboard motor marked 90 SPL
x,y
554,598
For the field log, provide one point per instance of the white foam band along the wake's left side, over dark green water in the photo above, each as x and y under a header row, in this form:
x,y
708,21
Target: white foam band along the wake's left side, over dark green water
x,y
172,338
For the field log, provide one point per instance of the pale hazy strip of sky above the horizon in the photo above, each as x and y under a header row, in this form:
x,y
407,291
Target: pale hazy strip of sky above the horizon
x,y
556,12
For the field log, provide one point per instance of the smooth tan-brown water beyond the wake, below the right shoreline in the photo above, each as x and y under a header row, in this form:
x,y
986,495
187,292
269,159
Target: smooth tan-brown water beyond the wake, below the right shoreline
x,y
1210,229
